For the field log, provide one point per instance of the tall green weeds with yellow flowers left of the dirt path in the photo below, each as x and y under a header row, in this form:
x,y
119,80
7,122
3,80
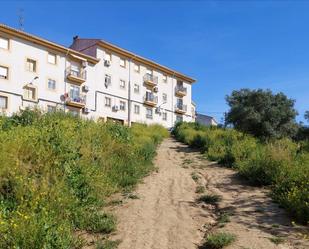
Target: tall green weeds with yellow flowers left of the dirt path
x,y
57,170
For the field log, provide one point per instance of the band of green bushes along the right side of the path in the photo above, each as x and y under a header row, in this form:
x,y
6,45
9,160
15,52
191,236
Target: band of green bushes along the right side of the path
x,y
281,164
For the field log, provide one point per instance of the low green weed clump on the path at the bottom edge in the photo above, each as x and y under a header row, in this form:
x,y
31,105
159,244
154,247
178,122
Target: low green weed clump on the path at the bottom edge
x,y
218,240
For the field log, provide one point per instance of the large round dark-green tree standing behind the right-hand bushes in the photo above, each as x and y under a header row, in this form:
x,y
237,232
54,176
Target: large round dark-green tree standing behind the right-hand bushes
x,y
262,113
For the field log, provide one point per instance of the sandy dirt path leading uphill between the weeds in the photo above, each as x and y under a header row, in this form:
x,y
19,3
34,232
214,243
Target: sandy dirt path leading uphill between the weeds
x,y
166,216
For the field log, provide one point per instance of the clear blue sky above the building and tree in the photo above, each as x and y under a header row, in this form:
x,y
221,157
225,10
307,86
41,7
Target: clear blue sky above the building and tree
x,y
225,45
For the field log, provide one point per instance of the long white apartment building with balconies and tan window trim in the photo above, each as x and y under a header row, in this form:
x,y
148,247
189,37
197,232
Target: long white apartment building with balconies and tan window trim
x,y
91,78
